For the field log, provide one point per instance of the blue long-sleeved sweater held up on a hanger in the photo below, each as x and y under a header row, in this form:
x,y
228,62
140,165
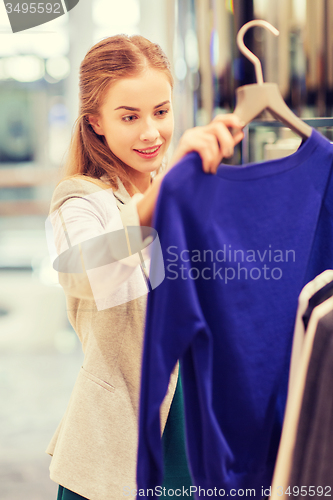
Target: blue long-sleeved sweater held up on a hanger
x,y
238,247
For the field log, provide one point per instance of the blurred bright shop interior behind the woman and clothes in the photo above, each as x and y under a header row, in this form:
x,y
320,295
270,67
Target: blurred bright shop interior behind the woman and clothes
x,y
39,353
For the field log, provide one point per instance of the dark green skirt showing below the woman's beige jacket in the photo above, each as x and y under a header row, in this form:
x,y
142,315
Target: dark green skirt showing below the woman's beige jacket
x,y
175,467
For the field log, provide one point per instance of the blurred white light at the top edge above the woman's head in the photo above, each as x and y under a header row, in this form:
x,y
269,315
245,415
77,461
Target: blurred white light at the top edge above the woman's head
x,y
125,12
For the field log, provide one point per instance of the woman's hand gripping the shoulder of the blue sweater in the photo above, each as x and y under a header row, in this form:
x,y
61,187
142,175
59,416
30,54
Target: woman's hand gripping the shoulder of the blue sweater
x,y
213,142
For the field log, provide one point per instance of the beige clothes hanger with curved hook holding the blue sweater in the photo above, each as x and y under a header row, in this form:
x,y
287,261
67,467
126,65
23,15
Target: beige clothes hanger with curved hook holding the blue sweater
x,y
252,99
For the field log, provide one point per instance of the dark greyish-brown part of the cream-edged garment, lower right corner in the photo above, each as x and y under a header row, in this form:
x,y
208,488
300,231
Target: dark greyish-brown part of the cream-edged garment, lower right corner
x,y
313,454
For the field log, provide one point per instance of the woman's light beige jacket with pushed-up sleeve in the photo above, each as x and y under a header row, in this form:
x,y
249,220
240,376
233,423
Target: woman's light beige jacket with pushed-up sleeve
x,y
94,448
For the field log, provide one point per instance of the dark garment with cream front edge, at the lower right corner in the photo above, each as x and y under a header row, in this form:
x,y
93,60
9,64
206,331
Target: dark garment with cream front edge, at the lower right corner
x,y
309,416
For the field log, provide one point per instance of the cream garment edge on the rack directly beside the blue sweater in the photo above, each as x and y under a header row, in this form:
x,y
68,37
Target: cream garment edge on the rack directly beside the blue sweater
x,y
318,288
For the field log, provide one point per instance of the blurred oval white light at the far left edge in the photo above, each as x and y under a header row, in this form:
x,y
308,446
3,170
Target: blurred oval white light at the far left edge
x,y
24,68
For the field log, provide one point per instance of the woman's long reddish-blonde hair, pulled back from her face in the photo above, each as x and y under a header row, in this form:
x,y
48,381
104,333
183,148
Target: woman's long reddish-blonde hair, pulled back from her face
x,y
111,59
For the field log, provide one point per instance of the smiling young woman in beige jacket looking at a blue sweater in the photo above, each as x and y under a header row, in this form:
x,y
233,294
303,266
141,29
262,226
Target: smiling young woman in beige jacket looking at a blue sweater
x,y
112,181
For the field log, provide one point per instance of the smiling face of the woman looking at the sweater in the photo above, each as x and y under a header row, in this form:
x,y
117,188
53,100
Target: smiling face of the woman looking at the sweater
x,y
137,119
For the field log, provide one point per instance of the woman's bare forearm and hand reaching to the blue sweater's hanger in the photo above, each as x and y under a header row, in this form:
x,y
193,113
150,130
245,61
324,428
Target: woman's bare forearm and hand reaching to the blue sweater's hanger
x,y
213,142
